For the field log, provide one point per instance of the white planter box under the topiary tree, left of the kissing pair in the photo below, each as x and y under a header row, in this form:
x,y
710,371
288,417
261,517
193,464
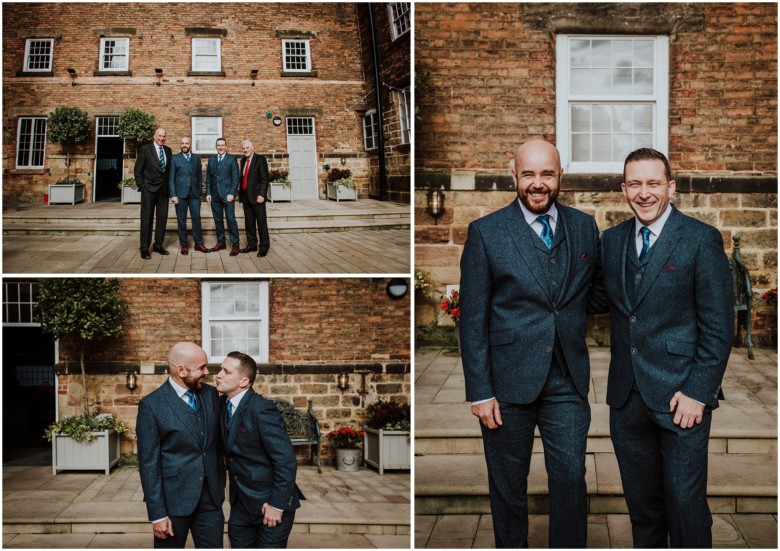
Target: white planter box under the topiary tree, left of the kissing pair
x,y
99,455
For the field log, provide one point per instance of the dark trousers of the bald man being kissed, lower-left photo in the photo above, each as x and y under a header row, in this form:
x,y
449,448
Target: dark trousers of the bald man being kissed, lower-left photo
x,y
207,524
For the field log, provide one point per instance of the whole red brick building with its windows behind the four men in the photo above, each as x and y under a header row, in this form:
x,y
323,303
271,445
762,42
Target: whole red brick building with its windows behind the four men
x,y
293,78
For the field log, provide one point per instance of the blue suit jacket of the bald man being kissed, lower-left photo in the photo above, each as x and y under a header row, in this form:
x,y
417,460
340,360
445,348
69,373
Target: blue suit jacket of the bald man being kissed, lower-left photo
x,y
175,452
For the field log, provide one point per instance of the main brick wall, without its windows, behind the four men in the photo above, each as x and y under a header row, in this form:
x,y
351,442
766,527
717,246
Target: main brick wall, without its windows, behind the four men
x,y
251,40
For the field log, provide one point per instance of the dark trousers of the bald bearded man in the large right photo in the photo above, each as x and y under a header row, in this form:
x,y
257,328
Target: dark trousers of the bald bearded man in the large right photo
x,y
563,418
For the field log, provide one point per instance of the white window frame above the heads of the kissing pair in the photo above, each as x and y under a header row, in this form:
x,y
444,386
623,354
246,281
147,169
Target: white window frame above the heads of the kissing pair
x,y
261,318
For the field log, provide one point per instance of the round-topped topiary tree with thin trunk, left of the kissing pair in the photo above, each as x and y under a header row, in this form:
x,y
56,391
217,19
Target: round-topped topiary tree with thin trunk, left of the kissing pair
x,y
84,309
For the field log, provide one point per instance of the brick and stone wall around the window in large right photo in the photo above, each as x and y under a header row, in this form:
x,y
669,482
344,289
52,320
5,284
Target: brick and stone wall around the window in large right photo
x,y
492,87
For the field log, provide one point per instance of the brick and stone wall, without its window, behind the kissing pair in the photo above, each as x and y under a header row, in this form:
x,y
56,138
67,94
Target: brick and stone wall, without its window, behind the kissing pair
x,y
319,328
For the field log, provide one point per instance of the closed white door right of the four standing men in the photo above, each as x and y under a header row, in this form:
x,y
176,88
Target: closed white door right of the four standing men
x,y
302,148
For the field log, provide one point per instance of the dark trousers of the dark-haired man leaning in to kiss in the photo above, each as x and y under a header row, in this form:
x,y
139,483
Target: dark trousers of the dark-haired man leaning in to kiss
x,y
246,529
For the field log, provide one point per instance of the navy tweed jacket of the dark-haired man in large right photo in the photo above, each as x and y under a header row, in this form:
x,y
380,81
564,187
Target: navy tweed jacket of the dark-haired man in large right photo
x,y
675,333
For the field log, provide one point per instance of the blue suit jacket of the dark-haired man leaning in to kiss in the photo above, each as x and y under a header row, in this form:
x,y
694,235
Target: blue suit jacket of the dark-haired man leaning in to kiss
x,y
260,457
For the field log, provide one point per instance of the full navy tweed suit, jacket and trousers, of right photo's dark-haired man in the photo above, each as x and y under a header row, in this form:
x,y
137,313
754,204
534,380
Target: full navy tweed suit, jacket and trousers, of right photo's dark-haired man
x,y
671,331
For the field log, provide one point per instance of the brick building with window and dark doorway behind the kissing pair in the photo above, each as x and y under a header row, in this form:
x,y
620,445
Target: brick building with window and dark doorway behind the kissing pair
x,y
302,332
